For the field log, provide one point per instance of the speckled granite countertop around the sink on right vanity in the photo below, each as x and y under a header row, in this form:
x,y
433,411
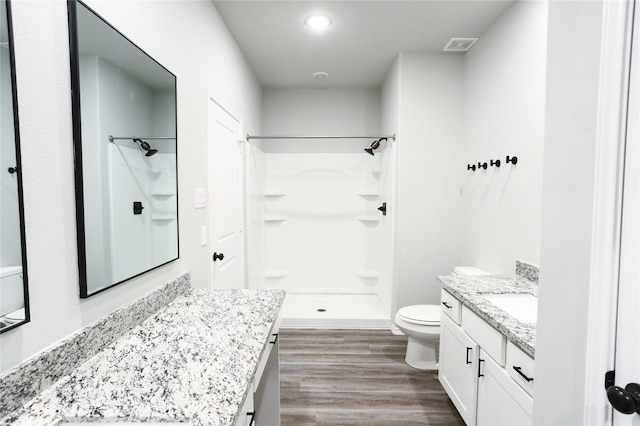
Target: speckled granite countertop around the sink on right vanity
x,y
468,289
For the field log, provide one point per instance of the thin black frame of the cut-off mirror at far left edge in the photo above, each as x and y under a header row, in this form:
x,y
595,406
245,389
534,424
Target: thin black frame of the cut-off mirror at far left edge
x,y
16,131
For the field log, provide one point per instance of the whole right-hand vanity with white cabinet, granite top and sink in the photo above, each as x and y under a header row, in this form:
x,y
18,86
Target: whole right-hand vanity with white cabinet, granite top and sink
x,y
487,347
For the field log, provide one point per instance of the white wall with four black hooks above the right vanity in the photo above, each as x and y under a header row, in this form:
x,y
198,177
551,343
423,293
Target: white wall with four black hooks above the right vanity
x,y
504,92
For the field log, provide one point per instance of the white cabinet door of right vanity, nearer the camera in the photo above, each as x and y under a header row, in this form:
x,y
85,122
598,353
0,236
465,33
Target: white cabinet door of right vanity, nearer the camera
x,y
501,402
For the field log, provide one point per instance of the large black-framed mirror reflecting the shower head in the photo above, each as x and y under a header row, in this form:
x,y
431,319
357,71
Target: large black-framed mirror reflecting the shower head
x,y
124,130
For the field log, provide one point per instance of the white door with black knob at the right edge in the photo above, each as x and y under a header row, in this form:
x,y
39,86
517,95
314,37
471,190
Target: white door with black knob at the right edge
x,y
627,364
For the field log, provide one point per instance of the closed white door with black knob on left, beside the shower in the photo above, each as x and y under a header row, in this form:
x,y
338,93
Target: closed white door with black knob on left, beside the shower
x,y
225,195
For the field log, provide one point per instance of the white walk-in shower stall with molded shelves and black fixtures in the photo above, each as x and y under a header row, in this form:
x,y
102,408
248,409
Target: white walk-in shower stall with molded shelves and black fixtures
x,y
321,209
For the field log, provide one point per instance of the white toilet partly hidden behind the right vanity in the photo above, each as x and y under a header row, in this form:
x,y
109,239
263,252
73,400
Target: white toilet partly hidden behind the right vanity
x,y
421,323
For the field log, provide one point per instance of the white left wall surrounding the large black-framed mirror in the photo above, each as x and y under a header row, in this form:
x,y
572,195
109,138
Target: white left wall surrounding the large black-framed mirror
x,y
190,39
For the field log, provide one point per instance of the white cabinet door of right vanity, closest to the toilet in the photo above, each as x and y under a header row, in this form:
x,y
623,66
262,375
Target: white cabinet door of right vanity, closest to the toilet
x,y
458,369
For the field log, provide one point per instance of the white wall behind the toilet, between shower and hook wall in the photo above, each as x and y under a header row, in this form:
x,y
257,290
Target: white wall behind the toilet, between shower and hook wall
x,y
429,152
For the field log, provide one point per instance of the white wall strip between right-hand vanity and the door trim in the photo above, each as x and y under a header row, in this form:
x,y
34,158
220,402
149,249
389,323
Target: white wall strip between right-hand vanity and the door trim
x,y
573,60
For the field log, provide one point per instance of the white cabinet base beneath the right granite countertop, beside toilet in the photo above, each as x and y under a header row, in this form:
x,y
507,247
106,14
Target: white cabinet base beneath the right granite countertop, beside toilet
x,y
475,370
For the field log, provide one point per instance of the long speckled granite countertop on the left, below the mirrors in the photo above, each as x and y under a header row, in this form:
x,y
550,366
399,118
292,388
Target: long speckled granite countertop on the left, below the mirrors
x,y
193,361
